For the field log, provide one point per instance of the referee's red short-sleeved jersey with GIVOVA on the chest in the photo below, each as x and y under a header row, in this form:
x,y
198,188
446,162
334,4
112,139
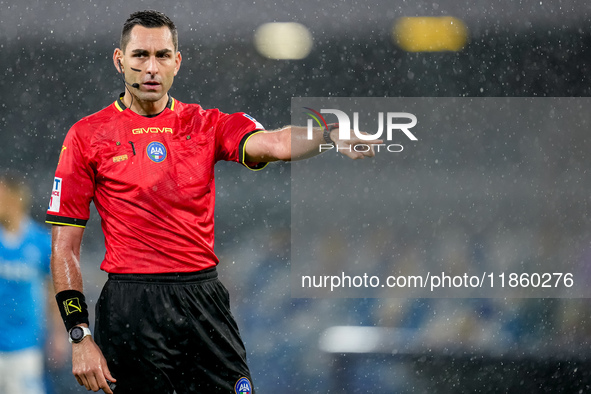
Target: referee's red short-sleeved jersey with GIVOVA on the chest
x,y
152,182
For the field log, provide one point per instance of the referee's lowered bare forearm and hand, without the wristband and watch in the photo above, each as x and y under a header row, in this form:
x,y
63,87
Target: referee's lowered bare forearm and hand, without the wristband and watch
x,y
88,363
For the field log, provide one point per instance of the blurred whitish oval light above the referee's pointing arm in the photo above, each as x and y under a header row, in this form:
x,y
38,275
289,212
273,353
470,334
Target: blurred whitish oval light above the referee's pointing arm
x,y
286,40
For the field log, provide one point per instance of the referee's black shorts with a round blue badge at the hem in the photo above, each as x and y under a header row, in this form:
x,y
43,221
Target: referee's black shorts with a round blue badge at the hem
x,y
174,332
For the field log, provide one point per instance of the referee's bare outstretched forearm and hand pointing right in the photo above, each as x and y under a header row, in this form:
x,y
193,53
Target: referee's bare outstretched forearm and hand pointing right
x,y
292,143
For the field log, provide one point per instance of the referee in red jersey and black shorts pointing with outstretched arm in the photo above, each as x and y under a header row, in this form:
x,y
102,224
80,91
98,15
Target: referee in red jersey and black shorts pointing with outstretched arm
x,y
163,321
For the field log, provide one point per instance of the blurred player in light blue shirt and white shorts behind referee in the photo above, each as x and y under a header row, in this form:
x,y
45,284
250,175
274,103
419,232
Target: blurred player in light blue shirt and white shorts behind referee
x,y
25,248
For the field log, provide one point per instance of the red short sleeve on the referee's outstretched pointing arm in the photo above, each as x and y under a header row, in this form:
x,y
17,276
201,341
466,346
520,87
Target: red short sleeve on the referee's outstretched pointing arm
x,y
232,134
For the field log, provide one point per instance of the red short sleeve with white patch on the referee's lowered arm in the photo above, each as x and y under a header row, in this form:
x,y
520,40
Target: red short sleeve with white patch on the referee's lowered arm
x,y
74,183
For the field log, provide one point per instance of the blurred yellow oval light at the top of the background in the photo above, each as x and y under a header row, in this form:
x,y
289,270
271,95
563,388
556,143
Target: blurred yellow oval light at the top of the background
x,y
430,34
